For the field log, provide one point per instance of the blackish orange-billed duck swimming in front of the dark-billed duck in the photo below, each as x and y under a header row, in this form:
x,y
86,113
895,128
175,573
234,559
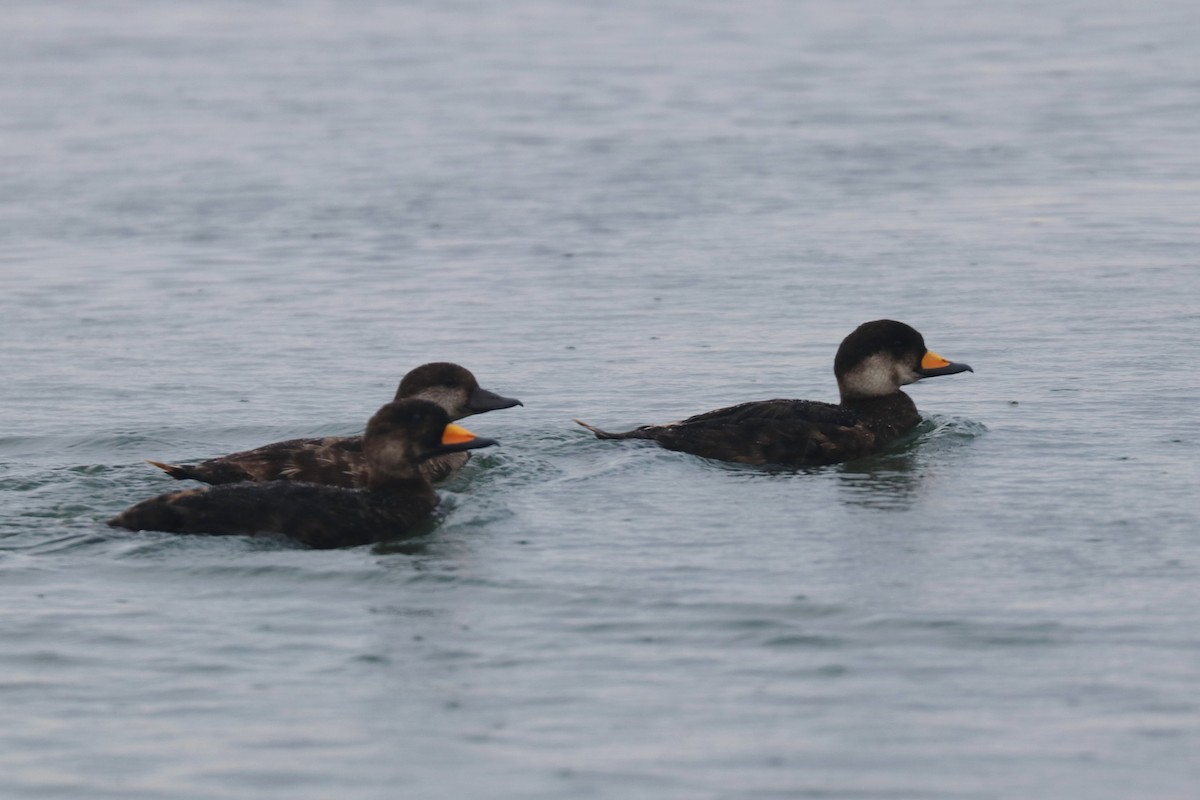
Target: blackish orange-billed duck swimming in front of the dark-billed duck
x,y
397,496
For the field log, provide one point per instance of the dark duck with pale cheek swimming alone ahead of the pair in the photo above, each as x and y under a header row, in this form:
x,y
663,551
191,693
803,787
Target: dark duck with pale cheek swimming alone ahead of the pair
x,y
872,366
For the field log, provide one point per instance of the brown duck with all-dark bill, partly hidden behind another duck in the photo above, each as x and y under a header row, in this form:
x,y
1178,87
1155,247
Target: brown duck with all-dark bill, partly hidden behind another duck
x,y
338,461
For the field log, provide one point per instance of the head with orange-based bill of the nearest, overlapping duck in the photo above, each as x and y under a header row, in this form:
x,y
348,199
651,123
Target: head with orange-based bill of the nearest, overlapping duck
x,y
404,434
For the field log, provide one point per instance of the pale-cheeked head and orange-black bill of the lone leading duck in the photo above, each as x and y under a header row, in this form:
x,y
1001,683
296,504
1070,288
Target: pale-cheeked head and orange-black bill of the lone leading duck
x,y
881,357
